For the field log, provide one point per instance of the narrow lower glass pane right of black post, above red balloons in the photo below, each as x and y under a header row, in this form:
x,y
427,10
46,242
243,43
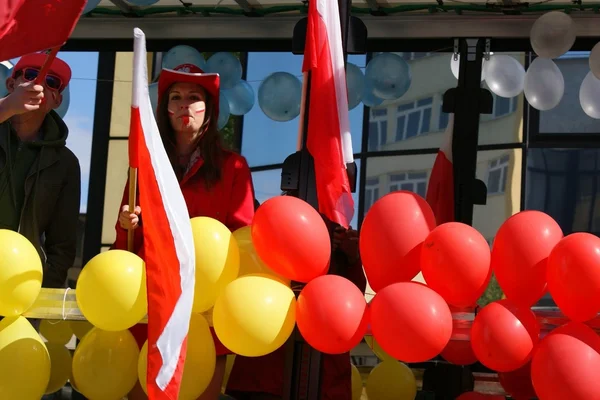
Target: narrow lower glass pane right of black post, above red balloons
x,y
488,218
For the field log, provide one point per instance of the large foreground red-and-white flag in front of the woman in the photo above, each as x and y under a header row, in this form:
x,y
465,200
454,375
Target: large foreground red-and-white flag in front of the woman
x,y
168,241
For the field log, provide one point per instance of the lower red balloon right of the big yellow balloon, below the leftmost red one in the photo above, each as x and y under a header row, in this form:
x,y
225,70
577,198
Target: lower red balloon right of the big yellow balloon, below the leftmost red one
x,y
331,314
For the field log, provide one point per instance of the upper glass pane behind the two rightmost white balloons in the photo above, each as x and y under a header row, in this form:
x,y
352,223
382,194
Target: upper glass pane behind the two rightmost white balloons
x,y
568,116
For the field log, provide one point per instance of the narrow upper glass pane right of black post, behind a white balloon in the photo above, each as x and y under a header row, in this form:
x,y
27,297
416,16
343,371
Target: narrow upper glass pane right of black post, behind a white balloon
x,y
505,124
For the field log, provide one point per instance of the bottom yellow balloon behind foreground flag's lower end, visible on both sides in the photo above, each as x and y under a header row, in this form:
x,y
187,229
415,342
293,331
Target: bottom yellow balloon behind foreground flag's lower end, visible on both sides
x,y
199,364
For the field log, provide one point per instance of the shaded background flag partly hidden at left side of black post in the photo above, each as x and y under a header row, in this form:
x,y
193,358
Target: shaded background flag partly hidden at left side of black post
x,y
440,190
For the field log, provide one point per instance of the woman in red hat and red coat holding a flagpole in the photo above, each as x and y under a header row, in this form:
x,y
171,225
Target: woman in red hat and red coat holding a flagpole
x,y
215,182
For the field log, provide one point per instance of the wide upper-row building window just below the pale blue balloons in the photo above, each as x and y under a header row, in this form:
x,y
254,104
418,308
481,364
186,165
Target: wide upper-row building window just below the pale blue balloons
x,y
413,118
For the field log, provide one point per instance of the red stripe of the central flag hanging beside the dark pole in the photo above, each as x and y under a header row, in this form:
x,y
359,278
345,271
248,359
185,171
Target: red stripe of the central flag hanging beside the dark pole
x,y
324,126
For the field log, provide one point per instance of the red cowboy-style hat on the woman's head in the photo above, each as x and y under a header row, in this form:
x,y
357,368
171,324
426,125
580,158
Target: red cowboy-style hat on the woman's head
x,y
192,74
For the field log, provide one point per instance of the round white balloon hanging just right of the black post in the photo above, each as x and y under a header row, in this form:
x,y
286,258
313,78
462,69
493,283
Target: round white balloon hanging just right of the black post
x,y
504,75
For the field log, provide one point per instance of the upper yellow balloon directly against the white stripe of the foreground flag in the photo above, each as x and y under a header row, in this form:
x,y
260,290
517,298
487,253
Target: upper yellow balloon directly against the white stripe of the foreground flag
x,y
217,261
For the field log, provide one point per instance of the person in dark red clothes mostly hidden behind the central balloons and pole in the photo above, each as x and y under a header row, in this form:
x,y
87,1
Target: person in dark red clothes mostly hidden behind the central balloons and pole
x,y
262,378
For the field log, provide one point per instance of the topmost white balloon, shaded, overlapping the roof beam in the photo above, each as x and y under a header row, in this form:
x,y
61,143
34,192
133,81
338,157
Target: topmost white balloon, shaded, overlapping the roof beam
x,y
552,34
